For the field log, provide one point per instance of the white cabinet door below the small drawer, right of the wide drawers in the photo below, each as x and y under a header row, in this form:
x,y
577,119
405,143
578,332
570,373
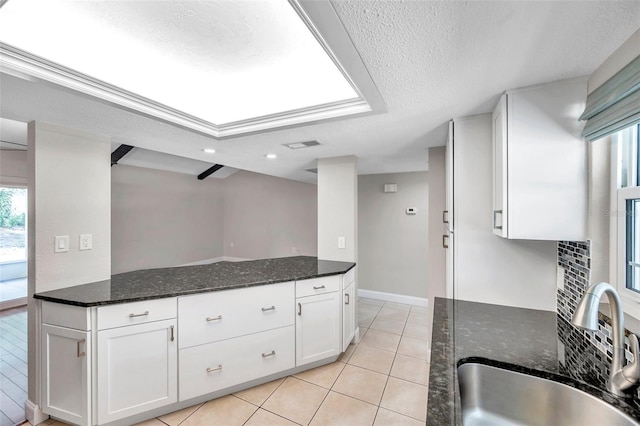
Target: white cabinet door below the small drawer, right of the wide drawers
x,y
318,327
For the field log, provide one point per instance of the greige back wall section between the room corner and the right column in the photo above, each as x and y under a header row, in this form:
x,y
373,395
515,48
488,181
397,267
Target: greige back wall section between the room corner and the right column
x,y
266,216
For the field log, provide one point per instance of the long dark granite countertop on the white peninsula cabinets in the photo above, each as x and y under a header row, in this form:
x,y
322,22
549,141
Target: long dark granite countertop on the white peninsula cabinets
x,y
181,280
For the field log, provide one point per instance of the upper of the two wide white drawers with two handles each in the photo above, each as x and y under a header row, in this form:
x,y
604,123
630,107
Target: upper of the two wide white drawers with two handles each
x,y
211,317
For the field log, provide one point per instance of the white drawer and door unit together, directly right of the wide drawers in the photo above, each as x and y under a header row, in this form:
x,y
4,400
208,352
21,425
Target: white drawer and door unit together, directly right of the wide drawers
x,y
318,320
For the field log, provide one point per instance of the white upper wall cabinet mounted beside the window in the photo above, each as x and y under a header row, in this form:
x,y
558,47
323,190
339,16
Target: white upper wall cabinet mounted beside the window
x,y
540,163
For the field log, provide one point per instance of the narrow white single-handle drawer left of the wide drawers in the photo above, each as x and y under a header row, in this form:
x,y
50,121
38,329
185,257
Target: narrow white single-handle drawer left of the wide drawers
x,y
123,314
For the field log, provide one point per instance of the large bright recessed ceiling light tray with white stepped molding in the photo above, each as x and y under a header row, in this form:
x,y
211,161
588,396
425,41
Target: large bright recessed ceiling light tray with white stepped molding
x,y
218,67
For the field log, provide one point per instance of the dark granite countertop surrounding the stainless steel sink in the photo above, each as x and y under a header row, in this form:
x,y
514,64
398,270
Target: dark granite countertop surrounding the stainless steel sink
x,y
524,340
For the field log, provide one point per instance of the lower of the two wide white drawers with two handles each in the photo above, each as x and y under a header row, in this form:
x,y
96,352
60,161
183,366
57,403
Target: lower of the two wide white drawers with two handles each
x,y
215,366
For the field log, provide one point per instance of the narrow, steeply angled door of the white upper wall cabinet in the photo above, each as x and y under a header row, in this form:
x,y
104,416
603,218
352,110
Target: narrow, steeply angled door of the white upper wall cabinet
x,y
500,146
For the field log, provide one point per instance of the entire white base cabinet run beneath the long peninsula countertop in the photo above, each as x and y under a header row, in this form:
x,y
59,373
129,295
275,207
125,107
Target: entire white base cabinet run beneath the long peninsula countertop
x,y
105,364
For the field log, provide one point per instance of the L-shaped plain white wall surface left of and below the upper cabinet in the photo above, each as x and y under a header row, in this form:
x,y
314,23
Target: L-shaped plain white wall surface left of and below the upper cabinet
x,y
488,268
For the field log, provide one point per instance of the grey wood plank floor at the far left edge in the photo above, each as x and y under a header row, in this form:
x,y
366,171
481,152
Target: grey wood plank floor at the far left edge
x,y
13,365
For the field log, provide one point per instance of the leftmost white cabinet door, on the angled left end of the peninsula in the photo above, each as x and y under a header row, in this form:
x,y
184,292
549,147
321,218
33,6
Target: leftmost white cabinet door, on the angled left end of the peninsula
x,y
66,374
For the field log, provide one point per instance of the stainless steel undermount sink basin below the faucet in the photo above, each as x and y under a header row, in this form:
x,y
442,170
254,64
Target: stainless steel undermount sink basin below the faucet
x,y
495,396
